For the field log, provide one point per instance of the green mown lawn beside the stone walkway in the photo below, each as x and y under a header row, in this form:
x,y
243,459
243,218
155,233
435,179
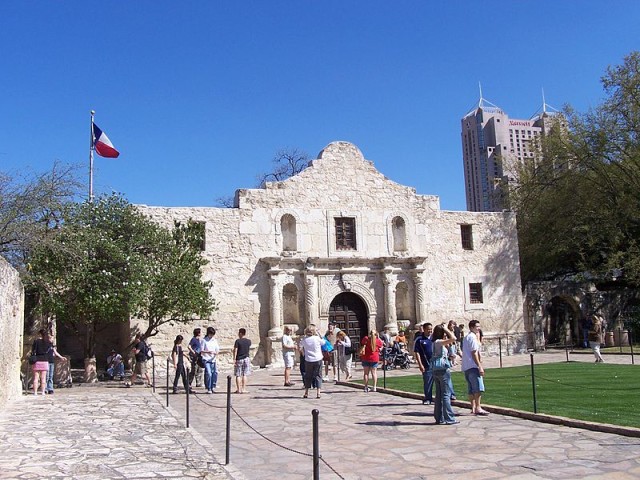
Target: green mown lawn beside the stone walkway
x,y
602,393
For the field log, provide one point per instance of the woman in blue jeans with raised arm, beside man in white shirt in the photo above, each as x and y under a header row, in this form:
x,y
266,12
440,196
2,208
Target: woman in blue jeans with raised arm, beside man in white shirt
x,y
442,337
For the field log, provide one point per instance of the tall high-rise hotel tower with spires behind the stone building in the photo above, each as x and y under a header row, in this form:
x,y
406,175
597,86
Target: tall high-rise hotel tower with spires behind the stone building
x,y
492,146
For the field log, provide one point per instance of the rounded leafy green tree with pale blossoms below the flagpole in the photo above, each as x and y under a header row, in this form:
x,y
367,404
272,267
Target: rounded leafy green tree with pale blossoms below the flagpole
x,y
107,262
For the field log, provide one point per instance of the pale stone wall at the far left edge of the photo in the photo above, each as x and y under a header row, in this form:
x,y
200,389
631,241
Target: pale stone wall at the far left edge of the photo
x,y
11,331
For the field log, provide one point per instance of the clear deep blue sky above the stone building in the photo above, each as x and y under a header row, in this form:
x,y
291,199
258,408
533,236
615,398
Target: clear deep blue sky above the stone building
x,y
198,96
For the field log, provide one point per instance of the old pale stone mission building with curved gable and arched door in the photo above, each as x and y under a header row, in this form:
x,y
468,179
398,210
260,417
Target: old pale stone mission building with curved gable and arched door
x,y
340,242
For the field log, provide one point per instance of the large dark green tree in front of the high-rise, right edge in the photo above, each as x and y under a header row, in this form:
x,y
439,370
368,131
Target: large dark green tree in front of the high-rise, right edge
x,y
578,205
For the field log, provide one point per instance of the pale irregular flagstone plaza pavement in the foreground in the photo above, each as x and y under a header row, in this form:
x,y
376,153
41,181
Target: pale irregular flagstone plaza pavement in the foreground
x,y
111,432
